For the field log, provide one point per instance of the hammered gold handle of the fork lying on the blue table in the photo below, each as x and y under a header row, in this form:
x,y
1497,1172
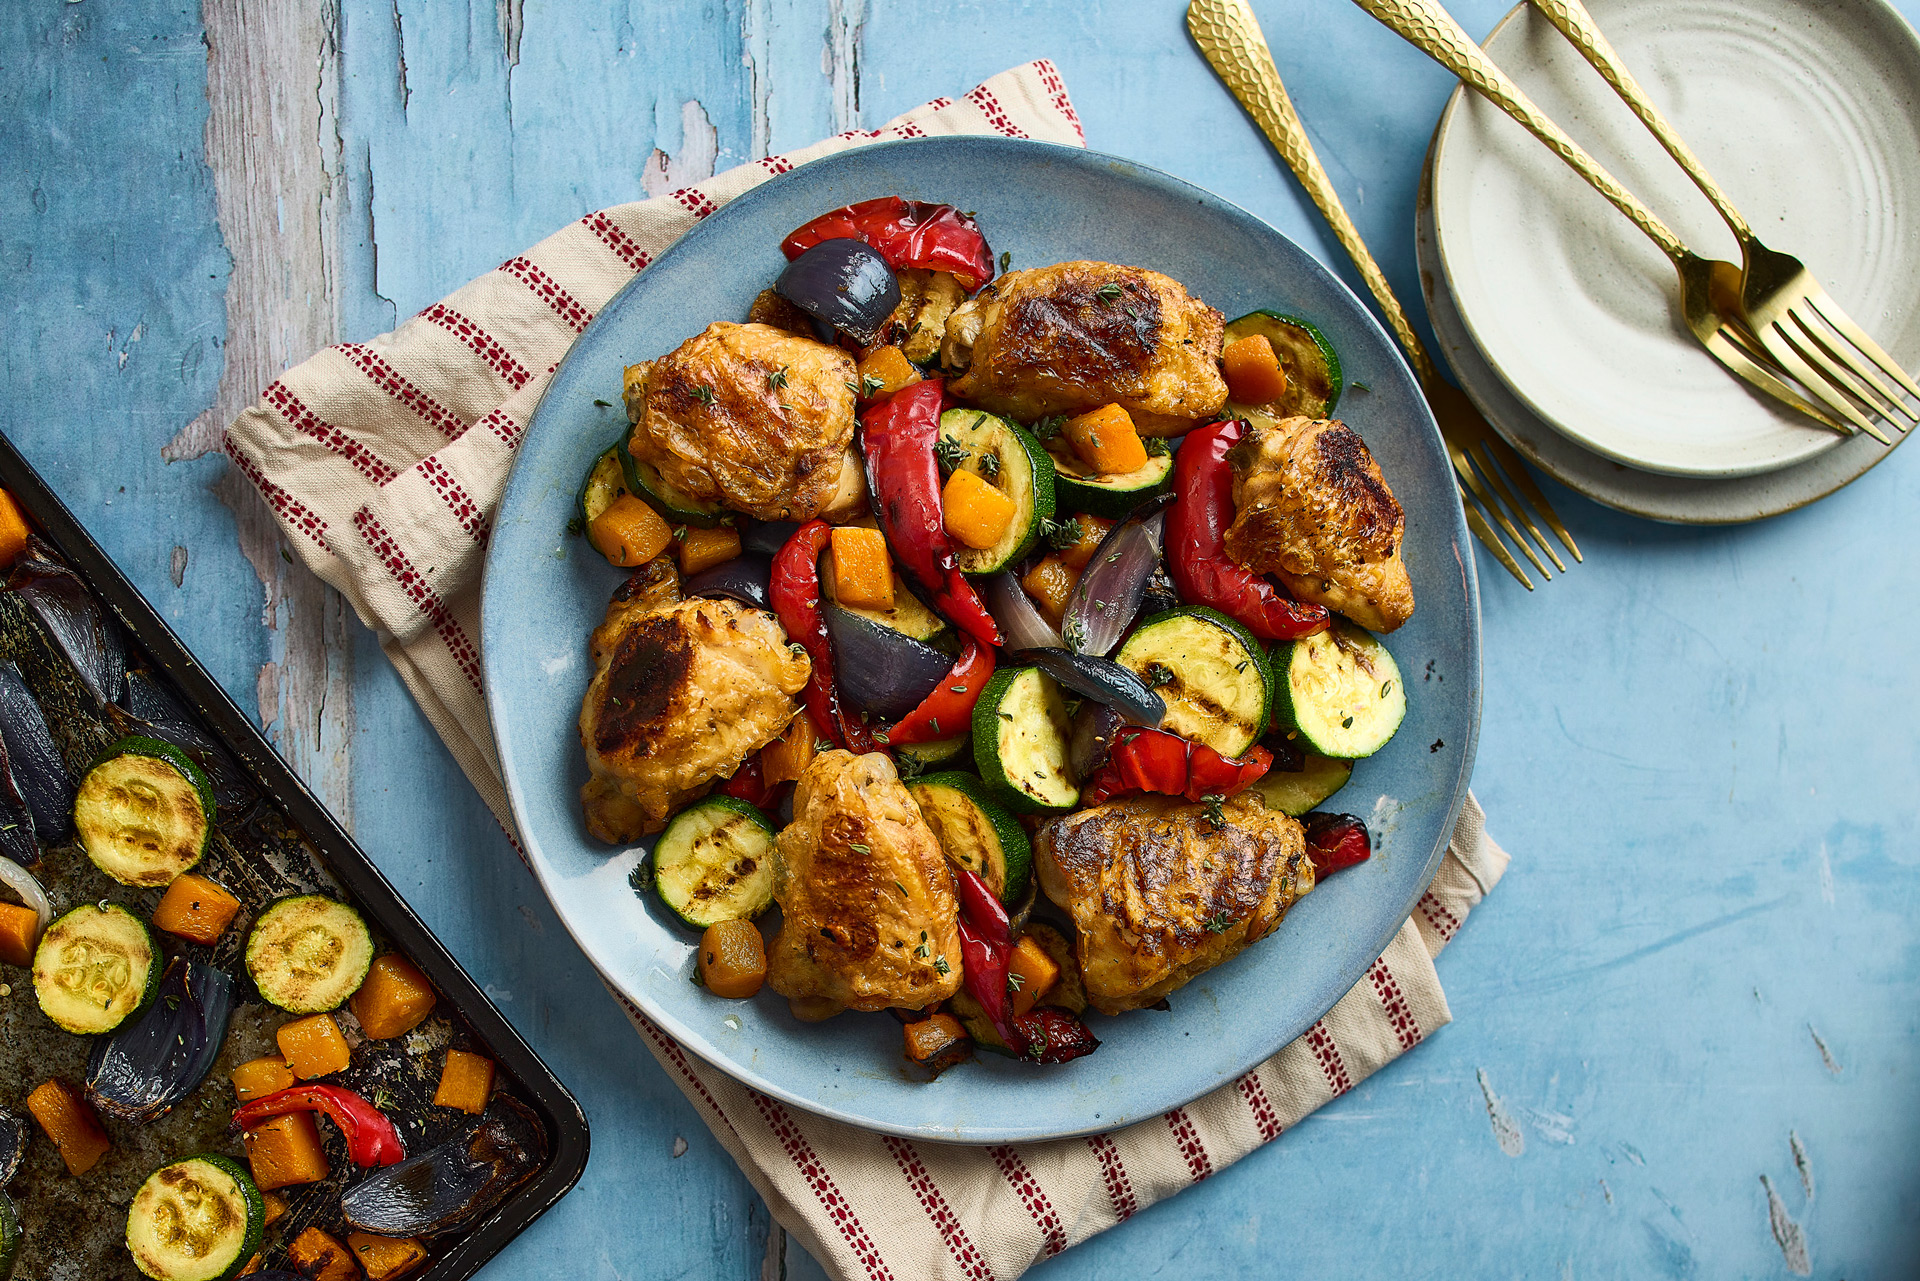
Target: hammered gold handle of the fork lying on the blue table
x,y
1234,45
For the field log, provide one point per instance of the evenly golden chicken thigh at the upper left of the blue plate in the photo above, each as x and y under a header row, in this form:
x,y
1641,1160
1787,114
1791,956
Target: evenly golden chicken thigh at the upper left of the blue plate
x,y
752,418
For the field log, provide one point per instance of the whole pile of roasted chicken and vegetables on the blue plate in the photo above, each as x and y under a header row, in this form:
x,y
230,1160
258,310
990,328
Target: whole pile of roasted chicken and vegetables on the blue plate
x,y
1005,629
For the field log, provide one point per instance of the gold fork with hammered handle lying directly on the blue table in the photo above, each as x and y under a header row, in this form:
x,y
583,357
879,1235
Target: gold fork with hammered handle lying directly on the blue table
x,y
1234,45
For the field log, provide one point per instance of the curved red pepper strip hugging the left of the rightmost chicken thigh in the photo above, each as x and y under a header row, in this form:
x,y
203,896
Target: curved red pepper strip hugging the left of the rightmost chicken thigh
x,y
1197,543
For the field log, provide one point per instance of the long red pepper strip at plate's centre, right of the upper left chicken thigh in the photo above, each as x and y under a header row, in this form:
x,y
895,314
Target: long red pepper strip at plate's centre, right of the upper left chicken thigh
x,y
898,437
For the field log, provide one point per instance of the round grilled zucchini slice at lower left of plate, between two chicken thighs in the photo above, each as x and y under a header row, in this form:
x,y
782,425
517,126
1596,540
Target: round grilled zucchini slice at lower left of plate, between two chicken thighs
x,y
715,861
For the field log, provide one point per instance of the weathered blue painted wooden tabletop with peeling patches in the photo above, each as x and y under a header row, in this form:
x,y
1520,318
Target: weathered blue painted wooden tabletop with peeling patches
x,y
1692,998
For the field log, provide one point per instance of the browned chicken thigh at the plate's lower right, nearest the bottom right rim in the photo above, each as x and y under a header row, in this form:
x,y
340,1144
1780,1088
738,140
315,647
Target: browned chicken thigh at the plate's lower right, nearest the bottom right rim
x,y
1161,894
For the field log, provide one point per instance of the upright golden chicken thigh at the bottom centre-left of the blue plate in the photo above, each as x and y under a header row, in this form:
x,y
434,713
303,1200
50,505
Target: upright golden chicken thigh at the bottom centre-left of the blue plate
x,y
865,892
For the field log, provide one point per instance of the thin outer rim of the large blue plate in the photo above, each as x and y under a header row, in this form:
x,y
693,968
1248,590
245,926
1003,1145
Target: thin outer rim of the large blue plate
x,y
1143,1107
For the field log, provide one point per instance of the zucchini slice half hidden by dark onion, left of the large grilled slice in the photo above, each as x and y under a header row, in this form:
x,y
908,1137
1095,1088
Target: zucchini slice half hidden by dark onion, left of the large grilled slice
x,y
1020,742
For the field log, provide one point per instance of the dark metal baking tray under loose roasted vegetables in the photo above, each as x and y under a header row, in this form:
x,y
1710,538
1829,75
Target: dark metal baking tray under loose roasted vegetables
x,y
281,840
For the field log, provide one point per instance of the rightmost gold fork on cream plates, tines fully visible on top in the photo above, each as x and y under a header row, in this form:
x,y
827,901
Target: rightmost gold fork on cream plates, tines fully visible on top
x,y
1783,302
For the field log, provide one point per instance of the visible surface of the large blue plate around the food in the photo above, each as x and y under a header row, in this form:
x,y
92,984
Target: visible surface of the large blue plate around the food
x,y
546,591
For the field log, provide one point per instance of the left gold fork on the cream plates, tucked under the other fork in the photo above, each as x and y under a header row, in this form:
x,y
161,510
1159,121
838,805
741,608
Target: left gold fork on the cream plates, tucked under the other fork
x,y
1710,295
